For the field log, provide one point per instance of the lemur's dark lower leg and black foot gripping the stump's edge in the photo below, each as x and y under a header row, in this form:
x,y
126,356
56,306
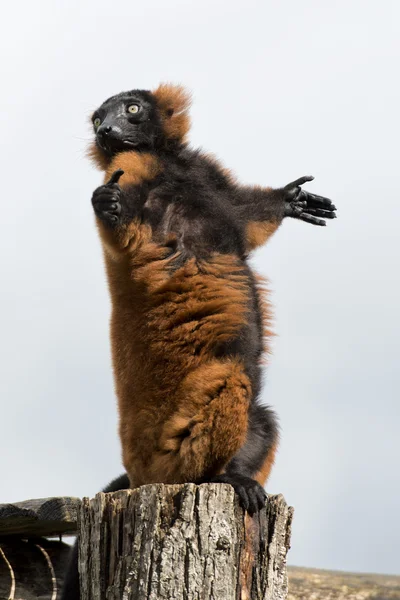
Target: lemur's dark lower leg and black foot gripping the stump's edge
x,y
249,469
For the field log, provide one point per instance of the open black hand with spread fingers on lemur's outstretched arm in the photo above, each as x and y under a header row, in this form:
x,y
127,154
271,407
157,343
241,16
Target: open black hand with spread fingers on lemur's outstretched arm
x,y
305,206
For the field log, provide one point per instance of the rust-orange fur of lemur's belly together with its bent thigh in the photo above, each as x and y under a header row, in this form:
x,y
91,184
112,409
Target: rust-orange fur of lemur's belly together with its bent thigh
x,y
166,329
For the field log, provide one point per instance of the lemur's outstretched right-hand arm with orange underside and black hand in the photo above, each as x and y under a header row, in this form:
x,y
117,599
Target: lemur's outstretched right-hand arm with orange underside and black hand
x,y
262,210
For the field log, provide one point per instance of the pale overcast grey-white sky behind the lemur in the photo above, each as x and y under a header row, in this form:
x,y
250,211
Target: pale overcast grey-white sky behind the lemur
x,y
281,89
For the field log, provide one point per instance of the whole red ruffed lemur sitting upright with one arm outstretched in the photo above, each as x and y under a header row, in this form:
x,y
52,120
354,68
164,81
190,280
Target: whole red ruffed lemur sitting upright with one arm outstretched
x,y
189,321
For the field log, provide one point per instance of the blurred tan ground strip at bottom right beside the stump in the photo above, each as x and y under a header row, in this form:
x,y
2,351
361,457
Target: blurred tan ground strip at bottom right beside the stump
x,y
318,584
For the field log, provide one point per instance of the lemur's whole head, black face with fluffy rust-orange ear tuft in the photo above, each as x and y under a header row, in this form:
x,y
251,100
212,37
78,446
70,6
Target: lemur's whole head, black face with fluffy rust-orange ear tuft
x,y
140,120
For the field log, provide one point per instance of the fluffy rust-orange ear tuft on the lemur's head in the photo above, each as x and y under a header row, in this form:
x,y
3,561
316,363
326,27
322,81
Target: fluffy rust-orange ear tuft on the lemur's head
x,y
174,103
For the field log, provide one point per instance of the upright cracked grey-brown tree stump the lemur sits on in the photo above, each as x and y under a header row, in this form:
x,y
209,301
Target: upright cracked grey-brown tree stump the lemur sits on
x,y
182,542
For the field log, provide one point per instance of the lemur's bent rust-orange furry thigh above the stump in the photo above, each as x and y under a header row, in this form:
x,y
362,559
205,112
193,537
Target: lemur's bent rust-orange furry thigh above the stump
x,y
209,426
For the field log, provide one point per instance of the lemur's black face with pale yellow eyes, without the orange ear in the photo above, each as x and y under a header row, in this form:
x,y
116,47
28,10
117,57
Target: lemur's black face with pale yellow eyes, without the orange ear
x,y
127,121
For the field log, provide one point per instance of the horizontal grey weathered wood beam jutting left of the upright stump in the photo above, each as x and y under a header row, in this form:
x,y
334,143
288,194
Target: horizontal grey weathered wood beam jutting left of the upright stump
x,y
44,516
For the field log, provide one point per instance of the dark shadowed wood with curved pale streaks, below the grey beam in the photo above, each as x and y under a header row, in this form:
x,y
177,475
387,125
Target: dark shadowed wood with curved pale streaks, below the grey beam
x,y
32,569
